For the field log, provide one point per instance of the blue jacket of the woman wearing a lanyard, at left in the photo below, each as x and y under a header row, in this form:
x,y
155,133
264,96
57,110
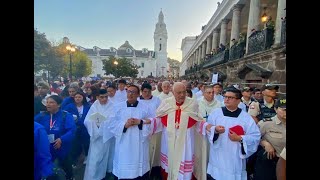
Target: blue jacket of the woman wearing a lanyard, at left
x,y
63,130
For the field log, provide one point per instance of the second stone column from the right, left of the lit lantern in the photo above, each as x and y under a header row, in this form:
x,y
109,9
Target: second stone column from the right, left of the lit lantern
x,y
254,19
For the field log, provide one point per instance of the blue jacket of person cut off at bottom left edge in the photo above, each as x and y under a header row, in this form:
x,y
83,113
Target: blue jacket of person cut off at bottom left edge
x,y
43,166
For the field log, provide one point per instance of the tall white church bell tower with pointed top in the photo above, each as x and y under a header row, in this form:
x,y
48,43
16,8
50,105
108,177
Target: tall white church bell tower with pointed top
x,y
160,46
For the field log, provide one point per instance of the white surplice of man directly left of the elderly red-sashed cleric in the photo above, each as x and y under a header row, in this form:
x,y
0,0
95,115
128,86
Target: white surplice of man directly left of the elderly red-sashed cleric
x,y
132,146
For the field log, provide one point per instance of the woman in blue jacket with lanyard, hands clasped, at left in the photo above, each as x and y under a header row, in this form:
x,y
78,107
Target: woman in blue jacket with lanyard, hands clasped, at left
x,y
60,128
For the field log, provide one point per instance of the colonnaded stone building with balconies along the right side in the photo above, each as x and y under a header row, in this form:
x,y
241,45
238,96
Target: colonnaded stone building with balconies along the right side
x,y
244,42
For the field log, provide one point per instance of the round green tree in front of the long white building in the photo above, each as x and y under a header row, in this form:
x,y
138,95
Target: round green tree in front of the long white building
x,y
125,67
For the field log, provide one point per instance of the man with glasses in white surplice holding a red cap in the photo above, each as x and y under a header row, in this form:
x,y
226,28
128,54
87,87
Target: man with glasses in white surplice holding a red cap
x,y
234,137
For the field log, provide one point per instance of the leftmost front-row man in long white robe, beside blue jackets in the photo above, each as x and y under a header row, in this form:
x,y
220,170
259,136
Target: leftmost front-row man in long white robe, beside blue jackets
x,y
101,152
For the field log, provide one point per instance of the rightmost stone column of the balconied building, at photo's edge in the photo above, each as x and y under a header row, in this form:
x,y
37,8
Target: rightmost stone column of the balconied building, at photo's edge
x,y
281,13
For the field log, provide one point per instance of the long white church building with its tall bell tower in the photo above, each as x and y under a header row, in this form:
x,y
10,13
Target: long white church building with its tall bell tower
x,y
152,63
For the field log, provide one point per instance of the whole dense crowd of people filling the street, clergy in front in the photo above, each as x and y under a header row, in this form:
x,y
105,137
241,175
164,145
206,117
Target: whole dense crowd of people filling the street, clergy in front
x,y
159,130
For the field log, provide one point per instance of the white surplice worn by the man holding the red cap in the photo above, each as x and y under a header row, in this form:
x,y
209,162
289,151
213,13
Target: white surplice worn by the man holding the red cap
x,y
226,161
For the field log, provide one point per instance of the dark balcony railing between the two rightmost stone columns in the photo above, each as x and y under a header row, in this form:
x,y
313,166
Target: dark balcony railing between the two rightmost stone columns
x,y
260,40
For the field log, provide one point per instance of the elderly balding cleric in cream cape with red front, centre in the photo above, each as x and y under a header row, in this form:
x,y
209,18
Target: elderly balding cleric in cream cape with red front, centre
x,y
178,118
